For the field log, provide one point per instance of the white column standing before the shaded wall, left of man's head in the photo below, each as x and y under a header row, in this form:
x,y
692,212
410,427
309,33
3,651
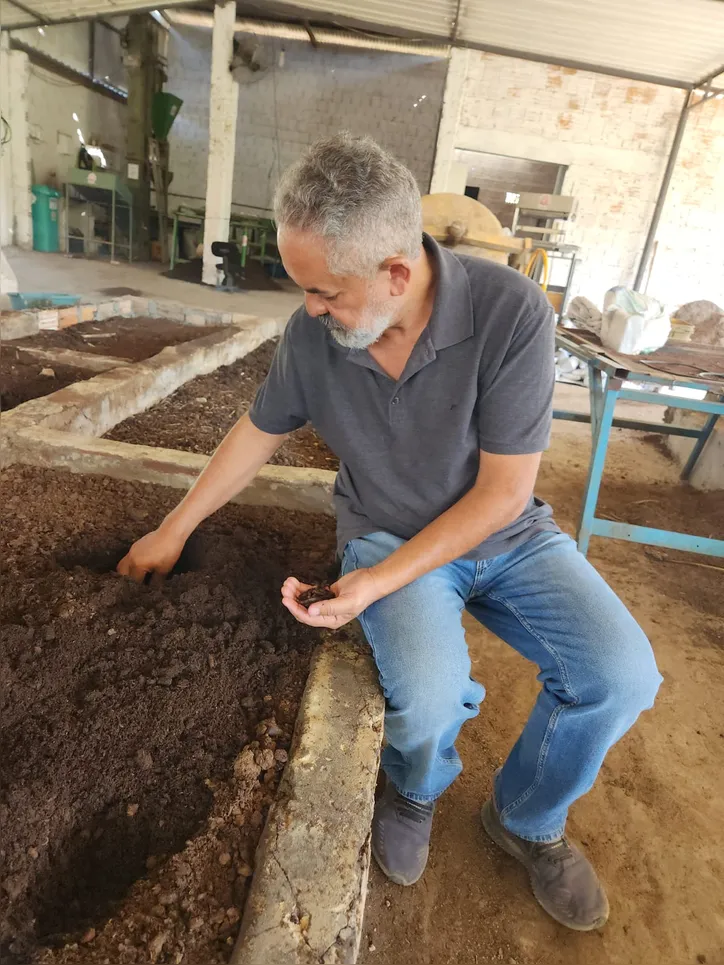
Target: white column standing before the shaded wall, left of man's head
x,y
223,105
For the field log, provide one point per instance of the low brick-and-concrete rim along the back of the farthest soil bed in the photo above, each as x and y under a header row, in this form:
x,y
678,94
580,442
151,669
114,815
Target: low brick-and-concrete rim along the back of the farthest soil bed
x,y
21,324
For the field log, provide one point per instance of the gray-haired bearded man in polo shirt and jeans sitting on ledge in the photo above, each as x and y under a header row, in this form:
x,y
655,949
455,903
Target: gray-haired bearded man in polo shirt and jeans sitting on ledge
x,y
431,377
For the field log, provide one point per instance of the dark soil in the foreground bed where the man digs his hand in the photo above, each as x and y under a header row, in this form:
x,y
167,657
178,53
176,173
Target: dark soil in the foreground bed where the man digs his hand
x,y
144,728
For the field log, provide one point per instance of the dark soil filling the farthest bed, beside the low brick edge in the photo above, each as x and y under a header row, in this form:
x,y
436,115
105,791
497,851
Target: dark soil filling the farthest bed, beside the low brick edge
x,y
134,339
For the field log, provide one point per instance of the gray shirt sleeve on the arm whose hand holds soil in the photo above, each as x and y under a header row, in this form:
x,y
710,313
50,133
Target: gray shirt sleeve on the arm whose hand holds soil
x,y
515,400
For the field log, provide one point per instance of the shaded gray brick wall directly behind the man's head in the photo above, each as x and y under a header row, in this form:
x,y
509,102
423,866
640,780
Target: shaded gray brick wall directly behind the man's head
x,y
283,109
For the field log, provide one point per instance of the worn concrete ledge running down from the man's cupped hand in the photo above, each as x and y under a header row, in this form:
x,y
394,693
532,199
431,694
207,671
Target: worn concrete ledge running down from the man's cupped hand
x,y
307,897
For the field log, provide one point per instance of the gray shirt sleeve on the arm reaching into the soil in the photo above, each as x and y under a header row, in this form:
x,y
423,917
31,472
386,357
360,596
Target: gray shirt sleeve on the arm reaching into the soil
x,y
279,406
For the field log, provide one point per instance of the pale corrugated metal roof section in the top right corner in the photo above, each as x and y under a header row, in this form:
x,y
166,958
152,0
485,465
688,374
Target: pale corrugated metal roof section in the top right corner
x,y
677,39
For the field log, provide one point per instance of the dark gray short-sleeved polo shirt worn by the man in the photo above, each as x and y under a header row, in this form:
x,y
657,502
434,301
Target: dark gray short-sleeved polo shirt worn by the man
x,y
479,377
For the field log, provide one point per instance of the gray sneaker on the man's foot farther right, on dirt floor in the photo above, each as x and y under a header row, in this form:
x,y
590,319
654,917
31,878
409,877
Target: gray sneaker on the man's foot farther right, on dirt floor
x,y
563,879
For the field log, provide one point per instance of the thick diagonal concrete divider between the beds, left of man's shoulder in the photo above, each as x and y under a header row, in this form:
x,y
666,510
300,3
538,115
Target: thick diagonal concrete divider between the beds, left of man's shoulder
x,y
96,405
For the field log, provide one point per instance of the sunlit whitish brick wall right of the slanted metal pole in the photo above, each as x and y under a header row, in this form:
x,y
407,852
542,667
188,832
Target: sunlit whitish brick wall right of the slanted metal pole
x,y
689,259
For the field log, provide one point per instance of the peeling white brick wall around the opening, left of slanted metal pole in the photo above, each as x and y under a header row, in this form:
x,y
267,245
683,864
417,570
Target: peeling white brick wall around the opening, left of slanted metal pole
x,y
614,136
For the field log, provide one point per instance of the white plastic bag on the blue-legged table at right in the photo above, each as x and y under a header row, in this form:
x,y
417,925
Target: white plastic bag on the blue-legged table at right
x,y
633,323
